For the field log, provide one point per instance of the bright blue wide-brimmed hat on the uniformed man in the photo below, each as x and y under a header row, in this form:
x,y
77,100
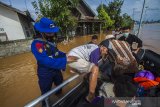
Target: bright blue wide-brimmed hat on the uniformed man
x,y
46,25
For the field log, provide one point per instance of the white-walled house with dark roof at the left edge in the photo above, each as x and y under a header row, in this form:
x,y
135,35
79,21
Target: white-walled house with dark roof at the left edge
x,y
14,24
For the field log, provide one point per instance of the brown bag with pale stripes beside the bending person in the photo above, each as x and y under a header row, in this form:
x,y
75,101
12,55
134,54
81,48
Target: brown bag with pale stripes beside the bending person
x,y
123,56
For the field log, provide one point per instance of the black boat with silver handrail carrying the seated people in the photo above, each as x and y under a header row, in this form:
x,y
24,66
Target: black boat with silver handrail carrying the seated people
x,y
76,96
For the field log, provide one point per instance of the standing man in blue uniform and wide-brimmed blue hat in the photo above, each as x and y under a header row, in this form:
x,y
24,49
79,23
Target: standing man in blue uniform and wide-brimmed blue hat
x,y
50,61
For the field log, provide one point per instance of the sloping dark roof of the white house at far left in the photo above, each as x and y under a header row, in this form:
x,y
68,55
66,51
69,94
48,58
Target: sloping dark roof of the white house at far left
x,y
24,13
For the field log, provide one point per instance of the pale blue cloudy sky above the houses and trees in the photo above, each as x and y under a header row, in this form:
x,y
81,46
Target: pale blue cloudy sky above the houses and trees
x,y
152,10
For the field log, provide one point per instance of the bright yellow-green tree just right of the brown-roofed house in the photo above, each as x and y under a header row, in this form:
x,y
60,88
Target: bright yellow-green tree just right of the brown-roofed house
x,y
104,16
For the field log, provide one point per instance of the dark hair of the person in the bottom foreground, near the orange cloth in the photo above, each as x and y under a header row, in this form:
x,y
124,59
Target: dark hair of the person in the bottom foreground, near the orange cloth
x,y
124,87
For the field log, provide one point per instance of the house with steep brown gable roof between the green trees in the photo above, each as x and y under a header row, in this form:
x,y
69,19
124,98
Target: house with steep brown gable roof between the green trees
x,y
88,22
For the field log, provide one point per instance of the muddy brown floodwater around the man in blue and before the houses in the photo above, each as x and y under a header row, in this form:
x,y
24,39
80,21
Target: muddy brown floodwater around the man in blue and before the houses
x,y
18,76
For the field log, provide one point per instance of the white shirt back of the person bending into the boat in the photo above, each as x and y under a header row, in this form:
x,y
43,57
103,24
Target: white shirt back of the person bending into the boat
x,y
83,51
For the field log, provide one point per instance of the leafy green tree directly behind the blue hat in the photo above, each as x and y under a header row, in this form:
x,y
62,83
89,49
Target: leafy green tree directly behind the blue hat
x,y
58,10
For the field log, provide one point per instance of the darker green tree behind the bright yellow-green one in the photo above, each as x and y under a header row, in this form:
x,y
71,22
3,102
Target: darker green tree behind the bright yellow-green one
x,y
113,10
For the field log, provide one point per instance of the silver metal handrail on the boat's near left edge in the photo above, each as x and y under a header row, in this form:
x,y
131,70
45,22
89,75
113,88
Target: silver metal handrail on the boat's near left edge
x,y
46,95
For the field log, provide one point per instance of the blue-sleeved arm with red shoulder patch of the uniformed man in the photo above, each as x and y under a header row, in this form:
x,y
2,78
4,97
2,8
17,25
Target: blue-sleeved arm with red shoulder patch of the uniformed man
x,y
43,59
